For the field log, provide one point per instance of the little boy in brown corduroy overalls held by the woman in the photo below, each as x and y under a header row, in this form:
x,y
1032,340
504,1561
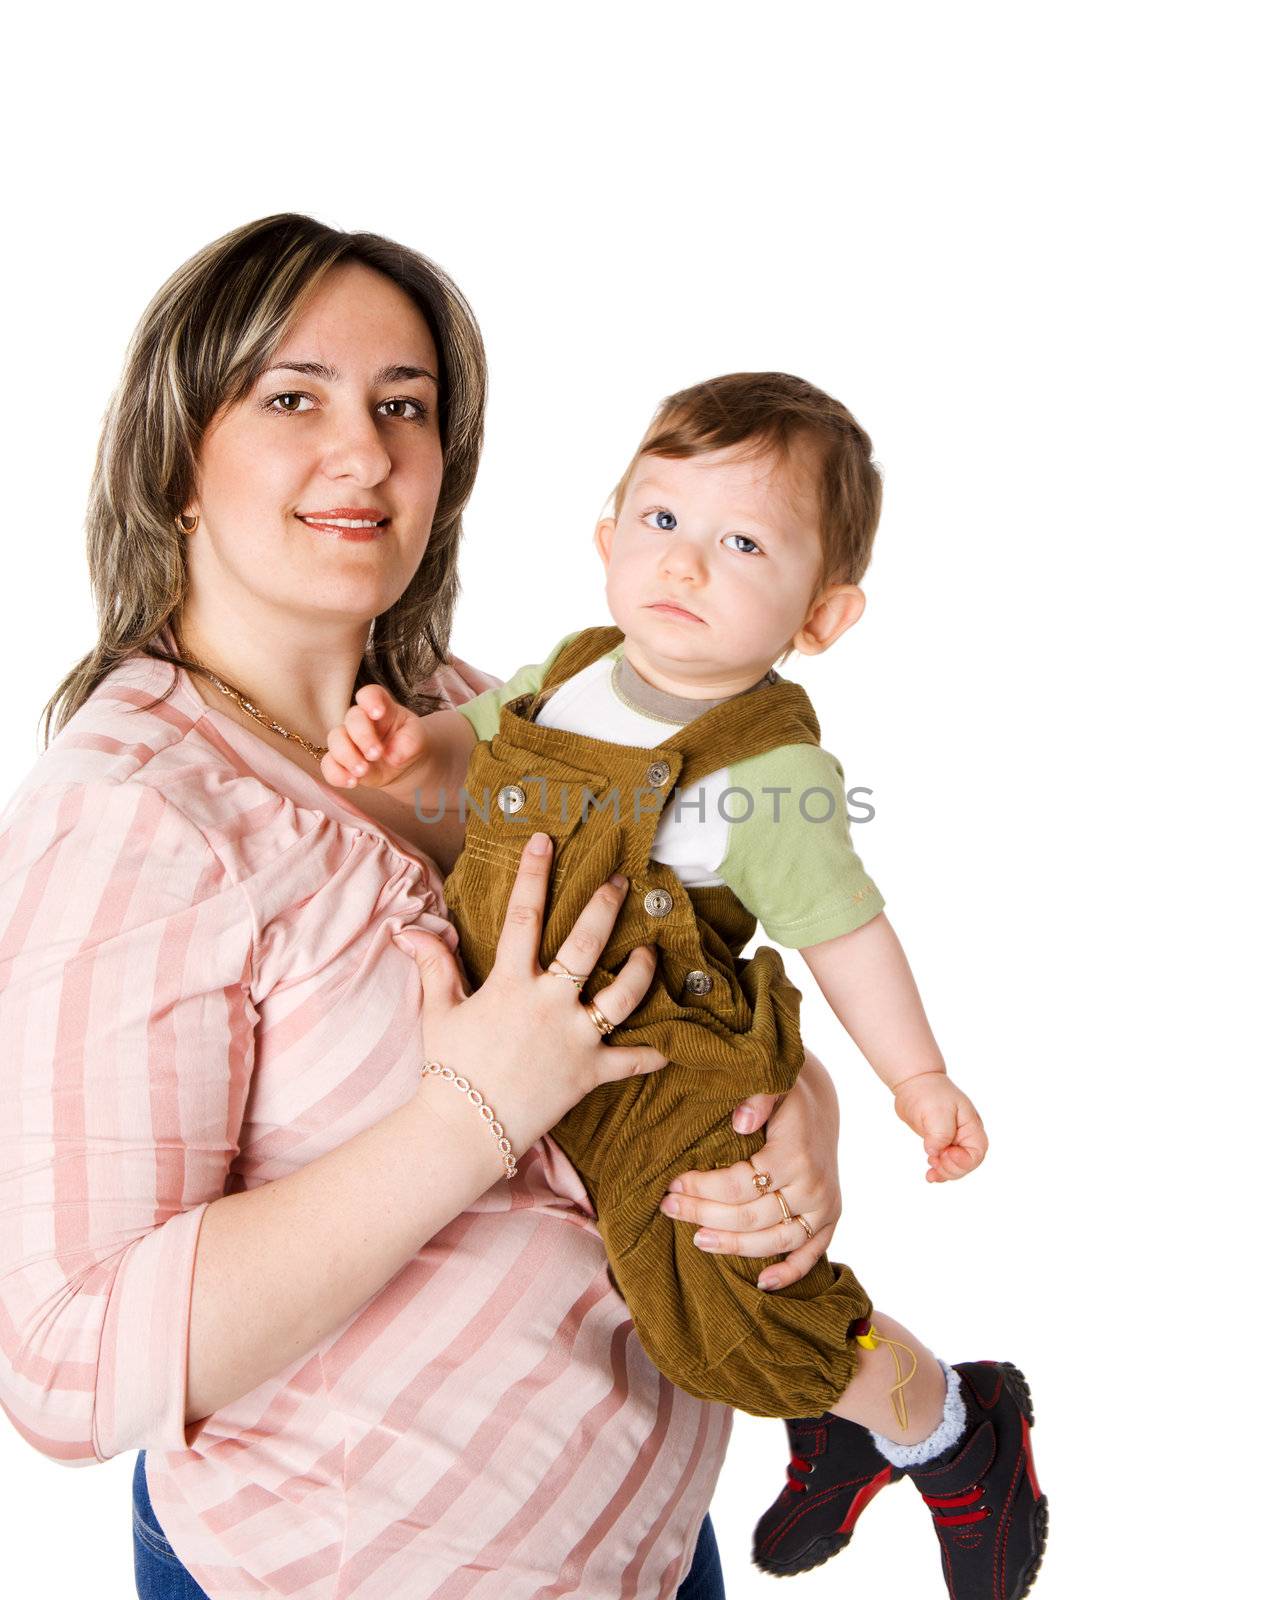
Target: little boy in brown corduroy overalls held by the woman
x,y
671,751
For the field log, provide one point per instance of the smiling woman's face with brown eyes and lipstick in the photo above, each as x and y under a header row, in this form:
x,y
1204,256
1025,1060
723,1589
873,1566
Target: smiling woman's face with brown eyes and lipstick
x,y
342,428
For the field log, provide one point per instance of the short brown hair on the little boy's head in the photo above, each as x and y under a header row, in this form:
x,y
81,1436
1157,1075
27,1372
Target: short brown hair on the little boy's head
x,y
772,414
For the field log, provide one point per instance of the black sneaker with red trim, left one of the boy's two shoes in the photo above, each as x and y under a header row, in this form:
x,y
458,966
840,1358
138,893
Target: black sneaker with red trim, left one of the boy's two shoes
x,y
835,1473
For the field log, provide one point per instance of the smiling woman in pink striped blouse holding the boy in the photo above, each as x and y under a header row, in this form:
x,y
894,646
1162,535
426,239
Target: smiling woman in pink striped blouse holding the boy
x,y
239,1230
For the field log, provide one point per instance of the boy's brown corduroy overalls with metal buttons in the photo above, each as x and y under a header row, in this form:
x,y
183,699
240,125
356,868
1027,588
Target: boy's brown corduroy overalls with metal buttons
x,y
729,1026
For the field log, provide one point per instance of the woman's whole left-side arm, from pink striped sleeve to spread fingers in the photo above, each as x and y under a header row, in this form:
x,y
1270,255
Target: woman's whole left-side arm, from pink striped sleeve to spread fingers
x,y
135,1297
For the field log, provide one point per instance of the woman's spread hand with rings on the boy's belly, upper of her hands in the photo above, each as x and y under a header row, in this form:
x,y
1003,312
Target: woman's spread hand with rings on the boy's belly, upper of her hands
x,y
526,1038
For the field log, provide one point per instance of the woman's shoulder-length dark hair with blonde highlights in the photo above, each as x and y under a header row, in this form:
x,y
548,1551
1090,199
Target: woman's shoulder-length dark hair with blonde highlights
x,y
202,345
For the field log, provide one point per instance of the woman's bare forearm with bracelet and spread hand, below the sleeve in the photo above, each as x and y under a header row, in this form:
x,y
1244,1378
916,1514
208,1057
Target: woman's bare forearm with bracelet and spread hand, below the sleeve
x,y
282,1266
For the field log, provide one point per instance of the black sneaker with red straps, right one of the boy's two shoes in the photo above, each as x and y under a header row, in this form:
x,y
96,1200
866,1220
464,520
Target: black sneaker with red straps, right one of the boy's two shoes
x,y
990,1513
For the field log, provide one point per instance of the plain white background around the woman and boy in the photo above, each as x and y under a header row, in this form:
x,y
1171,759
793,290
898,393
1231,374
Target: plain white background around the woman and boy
x,y
1028,246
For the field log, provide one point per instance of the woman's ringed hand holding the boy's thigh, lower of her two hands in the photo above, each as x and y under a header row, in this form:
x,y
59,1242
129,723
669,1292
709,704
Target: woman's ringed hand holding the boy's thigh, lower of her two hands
x,y
801,1158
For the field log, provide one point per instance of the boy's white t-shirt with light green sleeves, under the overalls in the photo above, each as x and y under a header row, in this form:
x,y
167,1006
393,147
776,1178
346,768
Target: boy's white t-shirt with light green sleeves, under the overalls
x,y
779,834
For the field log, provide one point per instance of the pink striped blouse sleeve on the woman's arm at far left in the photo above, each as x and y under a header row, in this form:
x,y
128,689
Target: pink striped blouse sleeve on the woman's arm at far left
x,y
127,1038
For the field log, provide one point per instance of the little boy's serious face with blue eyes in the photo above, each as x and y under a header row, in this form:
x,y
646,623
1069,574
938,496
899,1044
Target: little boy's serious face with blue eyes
x,y
713,564
